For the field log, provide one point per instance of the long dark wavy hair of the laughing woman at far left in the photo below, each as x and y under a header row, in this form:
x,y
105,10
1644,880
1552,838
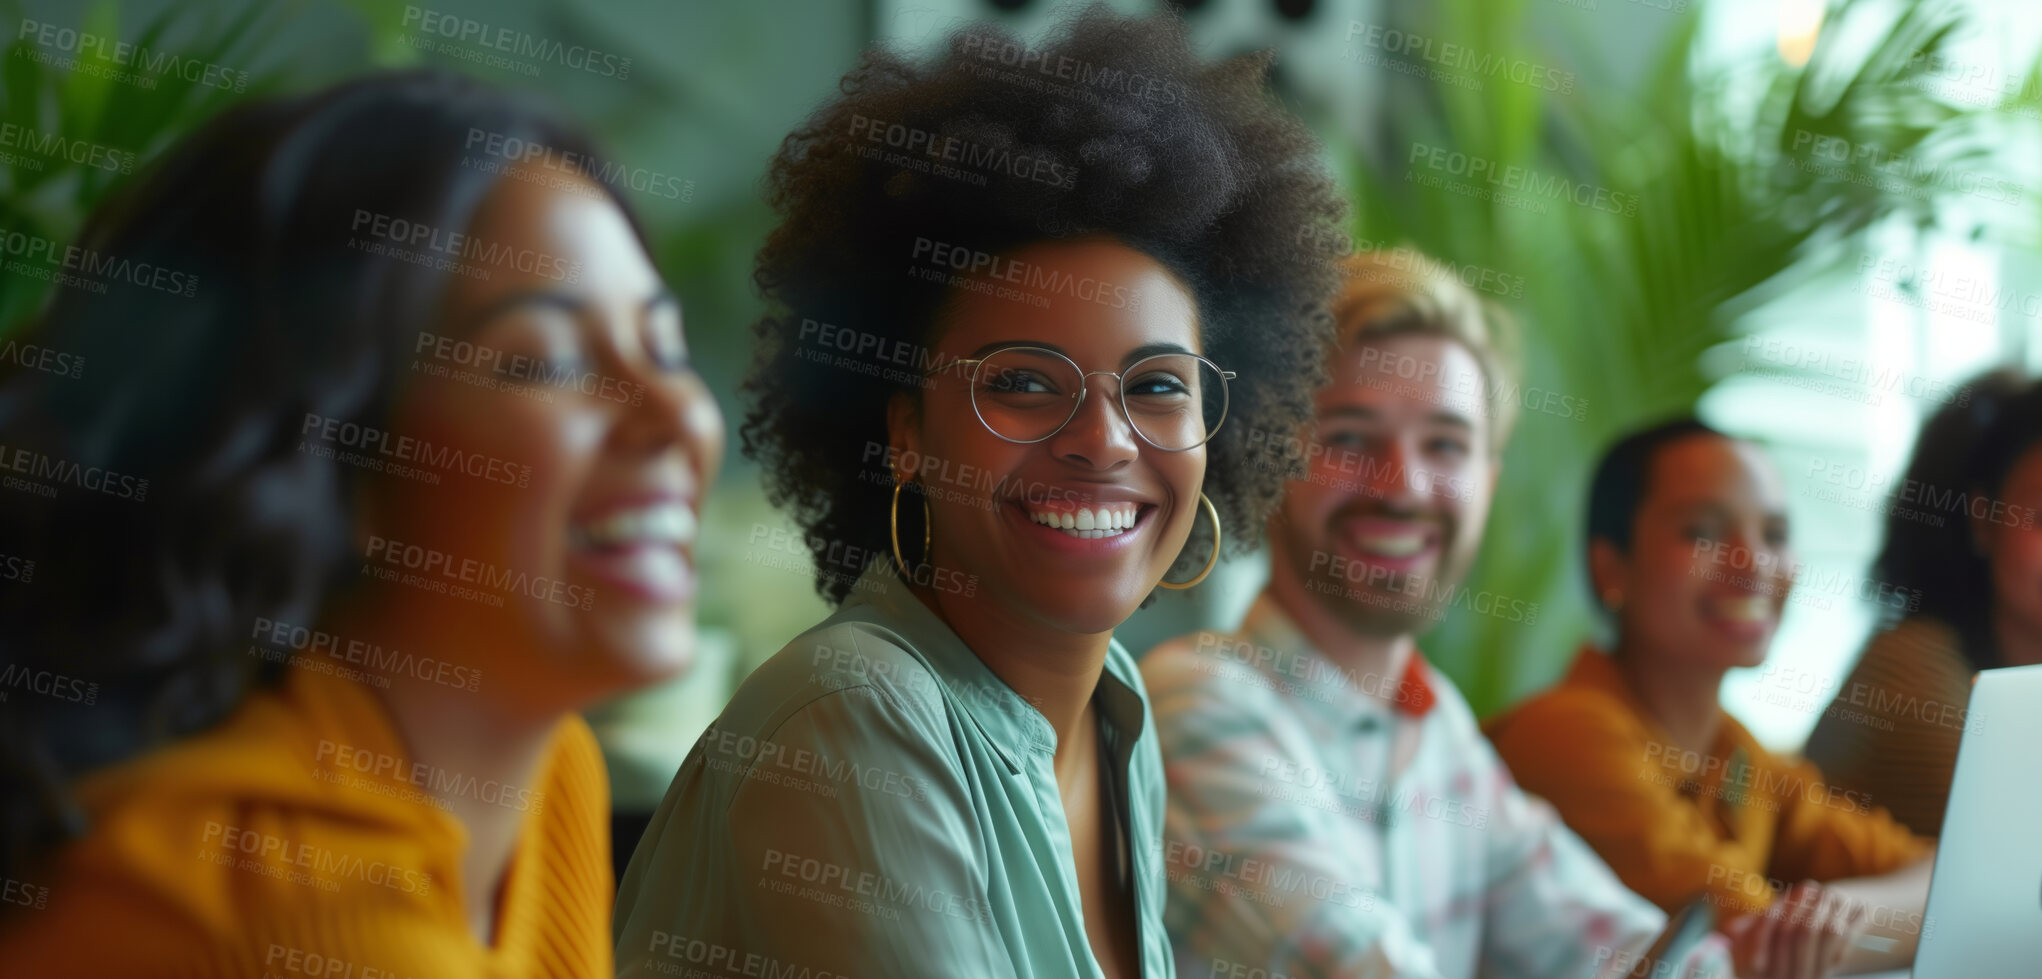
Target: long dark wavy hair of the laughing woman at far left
x,y
150,594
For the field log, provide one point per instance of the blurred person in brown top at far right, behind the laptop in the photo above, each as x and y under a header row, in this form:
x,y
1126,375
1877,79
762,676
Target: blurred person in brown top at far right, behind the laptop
x,y
1965,557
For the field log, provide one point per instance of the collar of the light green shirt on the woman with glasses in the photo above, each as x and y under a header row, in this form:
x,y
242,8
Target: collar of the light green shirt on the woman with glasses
x,y
1008,718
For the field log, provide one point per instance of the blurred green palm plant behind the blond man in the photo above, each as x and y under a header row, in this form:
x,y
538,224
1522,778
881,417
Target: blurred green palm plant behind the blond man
x,y
1727,205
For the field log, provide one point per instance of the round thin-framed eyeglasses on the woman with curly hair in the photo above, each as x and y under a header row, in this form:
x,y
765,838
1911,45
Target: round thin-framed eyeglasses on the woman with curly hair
x,y
1175,402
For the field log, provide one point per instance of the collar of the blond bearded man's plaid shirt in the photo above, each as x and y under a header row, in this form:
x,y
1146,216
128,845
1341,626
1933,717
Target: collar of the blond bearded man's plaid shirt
x,y
1287,657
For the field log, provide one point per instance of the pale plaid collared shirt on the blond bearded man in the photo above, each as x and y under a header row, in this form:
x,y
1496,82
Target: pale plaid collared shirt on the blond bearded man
x,y
1336,825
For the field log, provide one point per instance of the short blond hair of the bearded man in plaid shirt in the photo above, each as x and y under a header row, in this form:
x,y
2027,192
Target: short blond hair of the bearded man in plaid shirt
x,y
1404,291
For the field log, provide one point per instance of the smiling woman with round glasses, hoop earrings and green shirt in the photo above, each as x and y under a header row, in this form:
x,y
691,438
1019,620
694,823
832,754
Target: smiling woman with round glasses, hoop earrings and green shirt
x,y
957,774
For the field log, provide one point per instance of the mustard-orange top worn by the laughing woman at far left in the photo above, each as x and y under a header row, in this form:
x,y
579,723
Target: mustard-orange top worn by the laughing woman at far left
x,y
299,841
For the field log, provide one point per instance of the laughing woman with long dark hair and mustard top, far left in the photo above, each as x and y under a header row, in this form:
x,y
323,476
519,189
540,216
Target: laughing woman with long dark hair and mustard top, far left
x,y
409,790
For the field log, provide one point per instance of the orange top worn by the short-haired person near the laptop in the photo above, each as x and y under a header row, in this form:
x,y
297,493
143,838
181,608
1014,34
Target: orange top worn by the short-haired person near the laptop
x,y
1733,825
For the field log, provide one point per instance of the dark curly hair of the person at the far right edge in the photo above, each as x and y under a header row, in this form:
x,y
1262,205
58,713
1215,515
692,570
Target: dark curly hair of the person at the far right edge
x,y
1967,447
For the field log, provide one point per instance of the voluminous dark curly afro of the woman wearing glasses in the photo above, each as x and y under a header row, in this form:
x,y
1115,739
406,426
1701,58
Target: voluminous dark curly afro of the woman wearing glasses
x,y
1138,142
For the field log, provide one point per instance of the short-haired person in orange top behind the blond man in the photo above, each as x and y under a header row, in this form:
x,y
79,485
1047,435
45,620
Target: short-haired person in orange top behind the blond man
x,y
1690,555
